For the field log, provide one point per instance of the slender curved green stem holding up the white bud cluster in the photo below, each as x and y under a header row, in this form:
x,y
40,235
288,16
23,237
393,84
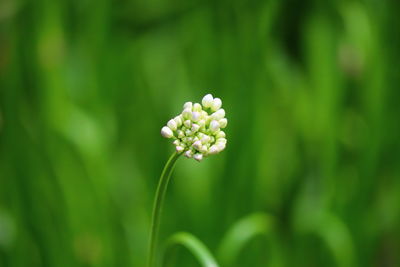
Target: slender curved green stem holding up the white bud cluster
x,y
158,203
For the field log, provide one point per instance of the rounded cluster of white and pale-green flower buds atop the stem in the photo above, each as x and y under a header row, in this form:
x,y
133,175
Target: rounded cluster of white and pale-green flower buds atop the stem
x,y
197,130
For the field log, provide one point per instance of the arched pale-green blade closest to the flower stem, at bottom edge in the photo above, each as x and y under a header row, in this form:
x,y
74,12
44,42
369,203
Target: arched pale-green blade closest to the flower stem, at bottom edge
x,y
195,246
